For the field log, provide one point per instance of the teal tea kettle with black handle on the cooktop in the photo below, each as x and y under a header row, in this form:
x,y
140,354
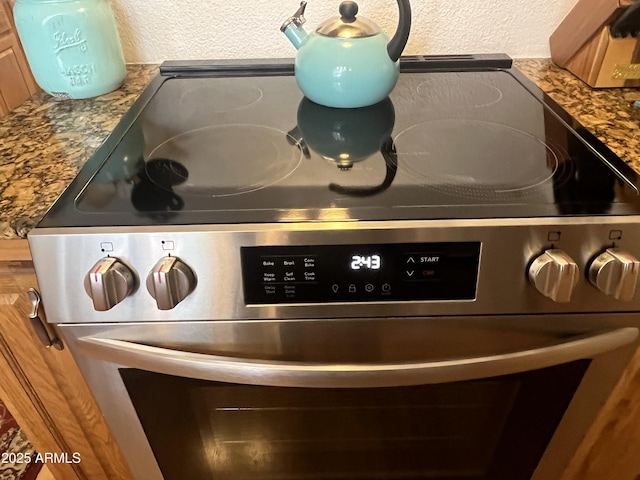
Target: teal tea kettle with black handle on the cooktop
x,y
347,62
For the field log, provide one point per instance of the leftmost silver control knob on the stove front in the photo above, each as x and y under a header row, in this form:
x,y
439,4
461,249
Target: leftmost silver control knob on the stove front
x,y
108,283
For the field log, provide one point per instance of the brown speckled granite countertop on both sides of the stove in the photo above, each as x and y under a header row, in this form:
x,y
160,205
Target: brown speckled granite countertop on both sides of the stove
x,y
44,143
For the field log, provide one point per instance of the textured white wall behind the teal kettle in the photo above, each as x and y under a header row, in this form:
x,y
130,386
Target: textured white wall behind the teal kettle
x,y
157,30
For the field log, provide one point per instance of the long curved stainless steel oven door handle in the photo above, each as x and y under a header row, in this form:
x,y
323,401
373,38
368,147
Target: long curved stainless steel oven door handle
x,y
338,375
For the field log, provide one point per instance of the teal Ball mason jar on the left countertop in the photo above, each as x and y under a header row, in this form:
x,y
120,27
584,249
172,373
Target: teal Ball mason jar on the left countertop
x,y
72,46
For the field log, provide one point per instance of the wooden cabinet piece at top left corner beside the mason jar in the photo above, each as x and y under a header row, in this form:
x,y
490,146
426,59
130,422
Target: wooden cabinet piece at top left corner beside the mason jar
x,y
16,81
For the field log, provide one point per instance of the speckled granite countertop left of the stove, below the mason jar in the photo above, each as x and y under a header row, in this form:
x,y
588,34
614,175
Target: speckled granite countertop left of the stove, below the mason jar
x,y
44,143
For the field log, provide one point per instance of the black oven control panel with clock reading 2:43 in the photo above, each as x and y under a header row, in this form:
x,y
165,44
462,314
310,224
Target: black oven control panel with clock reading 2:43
x,y
360,273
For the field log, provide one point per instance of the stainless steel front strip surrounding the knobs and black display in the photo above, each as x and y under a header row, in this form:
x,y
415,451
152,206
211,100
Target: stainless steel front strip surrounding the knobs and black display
x,y
213,252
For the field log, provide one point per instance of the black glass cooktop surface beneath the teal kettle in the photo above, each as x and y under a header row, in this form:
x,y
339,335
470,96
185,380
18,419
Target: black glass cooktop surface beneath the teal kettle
x,y
459,137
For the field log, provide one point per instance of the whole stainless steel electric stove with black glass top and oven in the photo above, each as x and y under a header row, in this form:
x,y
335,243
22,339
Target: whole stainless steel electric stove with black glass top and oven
x,y
256,262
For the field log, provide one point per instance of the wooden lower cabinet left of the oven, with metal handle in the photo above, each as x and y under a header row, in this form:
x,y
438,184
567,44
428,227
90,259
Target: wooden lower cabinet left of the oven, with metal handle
x,y
43,387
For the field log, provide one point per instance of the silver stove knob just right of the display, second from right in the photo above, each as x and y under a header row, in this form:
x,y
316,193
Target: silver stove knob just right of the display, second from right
x,y
554,274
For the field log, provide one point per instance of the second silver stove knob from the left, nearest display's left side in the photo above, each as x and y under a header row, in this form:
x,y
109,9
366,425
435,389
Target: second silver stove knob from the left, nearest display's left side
x,y
170,281
